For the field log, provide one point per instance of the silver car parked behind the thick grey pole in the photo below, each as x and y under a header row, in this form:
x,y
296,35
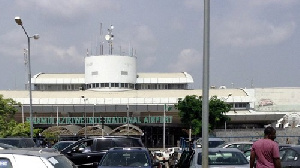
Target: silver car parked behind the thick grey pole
x,y
221,157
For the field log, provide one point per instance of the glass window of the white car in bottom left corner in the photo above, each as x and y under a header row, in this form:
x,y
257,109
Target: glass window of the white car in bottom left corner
x,y
61,162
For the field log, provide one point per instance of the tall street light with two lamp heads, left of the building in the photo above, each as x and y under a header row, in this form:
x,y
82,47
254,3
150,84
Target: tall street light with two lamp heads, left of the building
x,y
36,36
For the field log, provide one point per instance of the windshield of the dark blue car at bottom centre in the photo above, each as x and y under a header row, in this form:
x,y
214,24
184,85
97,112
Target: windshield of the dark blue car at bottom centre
x,y
125,158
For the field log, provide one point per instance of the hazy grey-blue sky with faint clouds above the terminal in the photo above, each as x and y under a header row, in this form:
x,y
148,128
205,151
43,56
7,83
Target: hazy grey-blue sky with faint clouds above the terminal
x,y
253,43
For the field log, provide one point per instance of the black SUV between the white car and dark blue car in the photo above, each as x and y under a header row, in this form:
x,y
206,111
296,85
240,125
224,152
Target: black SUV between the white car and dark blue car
x,y
88,152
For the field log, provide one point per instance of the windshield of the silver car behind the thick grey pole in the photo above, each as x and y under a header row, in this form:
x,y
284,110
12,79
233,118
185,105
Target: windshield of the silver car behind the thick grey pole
x,y
224,158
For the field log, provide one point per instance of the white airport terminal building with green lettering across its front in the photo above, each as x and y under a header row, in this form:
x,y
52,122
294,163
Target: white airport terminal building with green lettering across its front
x,y
111,89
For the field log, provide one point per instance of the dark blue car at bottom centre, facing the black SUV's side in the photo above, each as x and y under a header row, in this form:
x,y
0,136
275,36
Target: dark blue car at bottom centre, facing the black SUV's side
x,y
127,157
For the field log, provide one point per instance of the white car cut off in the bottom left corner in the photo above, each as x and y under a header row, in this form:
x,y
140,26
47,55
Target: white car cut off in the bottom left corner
x,y
16,158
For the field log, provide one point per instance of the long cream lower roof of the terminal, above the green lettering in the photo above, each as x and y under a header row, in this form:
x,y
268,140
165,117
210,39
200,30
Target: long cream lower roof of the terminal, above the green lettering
x,y
121,97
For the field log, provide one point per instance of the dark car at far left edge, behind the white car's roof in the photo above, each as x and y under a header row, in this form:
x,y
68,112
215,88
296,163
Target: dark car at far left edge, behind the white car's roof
x,y
18,142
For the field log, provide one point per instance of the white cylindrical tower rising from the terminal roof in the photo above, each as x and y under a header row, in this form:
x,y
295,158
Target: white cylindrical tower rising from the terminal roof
x,y
111,72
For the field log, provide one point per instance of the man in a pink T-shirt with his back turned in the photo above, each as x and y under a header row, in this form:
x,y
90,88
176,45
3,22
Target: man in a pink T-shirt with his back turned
x,y
265,151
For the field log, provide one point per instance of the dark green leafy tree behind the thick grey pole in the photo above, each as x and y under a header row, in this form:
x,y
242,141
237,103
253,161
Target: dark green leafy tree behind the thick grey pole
x,y
190,112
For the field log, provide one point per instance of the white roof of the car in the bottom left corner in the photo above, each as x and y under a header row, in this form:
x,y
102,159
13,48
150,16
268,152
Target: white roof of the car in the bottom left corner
x,y
31,153
